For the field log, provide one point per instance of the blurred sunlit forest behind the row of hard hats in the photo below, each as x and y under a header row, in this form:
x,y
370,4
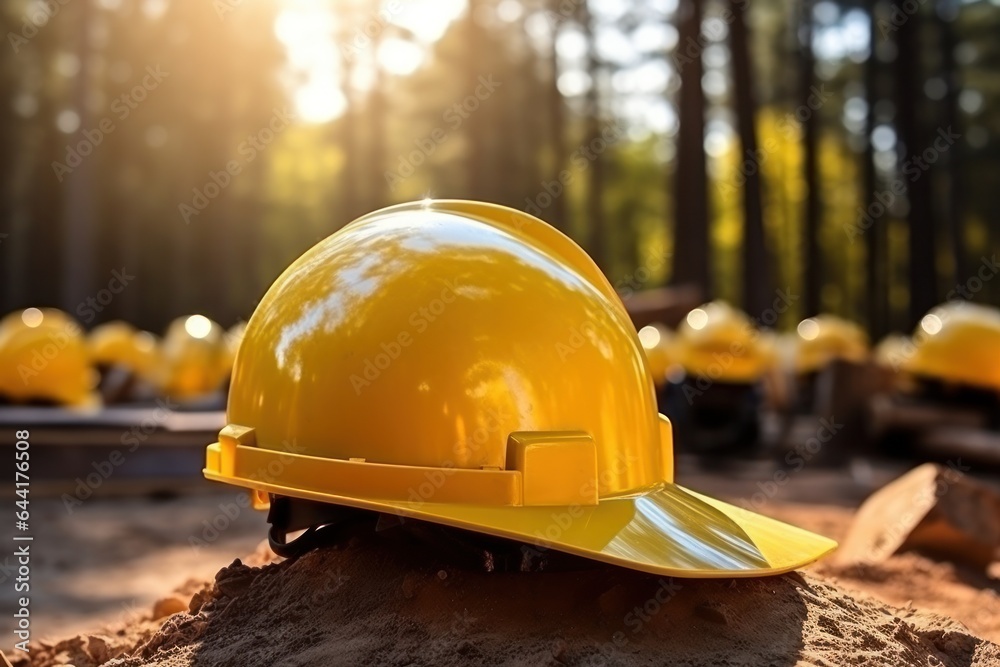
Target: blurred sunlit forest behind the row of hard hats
x,y
846,153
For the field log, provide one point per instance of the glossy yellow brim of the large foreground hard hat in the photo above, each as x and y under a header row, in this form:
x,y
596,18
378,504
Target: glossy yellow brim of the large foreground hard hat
x,y
664,529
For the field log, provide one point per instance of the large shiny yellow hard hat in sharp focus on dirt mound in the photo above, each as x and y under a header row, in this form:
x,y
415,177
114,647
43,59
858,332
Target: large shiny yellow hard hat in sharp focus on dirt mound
x,y
467,364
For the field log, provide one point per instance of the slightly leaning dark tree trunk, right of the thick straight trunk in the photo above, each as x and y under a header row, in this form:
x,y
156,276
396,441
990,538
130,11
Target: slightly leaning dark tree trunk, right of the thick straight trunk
x,y
756,268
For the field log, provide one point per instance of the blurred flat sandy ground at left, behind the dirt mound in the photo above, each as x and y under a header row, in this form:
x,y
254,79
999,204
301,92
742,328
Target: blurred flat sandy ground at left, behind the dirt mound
x,y
111,558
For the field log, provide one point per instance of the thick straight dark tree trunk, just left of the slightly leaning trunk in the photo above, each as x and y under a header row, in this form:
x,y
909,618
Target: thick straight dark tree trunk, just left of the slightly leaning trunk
x,y
691,251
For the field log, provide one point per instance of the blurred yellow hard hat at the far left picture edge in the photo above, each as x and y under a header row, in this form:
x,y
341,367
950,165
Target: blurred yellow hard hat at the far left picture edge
x,y
43,358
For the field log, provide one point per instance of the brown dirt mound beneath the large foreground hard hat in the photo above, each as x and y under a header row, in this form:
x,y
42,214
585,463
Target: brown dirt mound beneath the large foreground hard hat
x,y
372,603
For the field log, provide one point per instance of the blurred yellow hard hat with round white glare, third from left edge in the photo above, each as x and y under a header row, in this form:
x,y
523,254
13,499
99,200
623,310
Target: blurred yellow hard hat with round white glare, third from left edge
x,y
195,357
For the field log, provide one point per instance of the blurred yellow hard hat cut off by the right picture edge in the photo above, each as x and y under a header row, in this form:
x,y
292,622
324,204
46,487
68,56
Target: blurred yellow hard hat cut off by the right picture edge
x,y
958,342
